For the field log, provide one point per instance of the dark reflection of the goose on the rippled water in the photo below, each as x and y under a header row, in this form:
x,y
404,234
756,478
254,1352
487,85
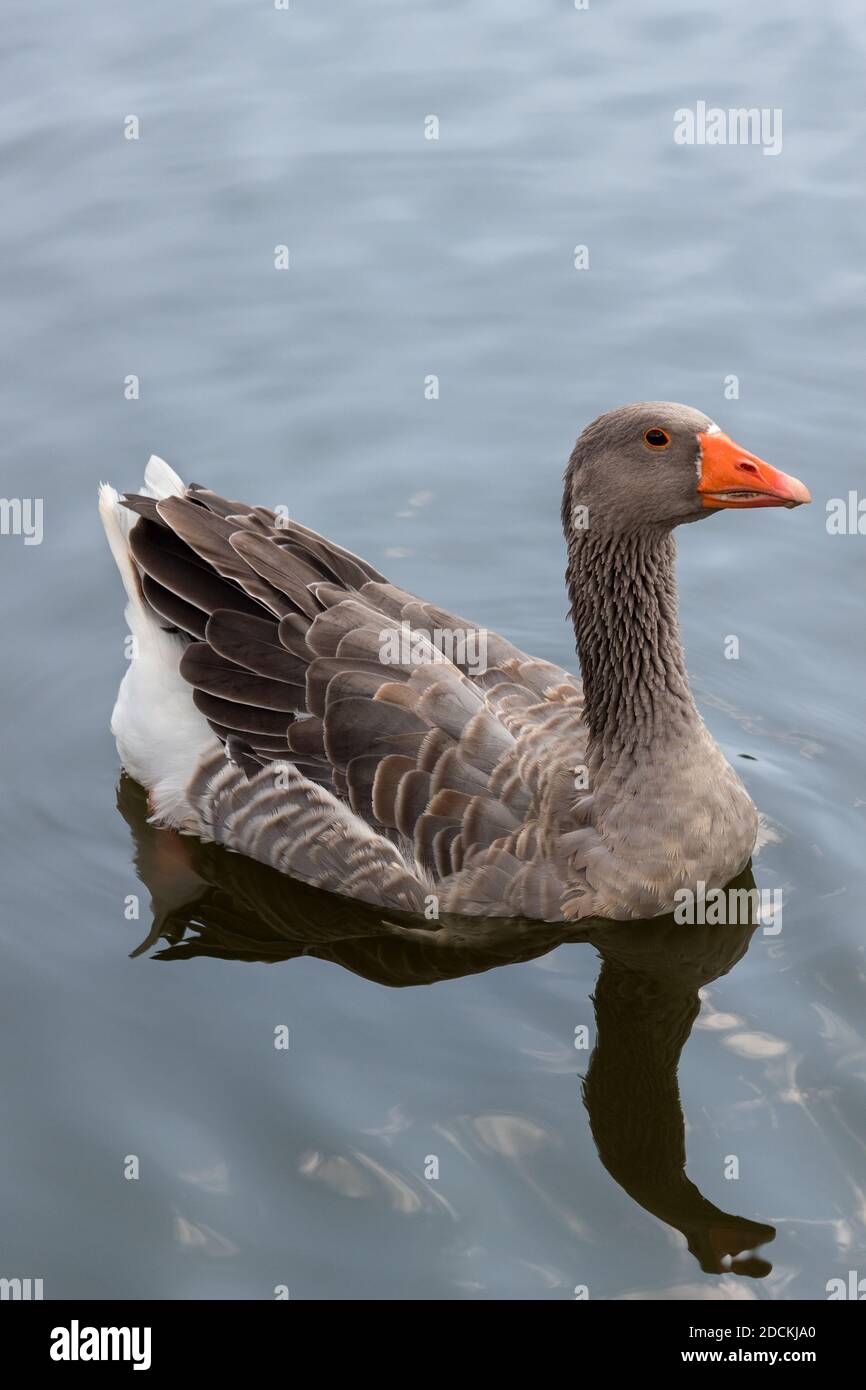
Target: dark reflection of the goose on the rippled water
x,y
212,903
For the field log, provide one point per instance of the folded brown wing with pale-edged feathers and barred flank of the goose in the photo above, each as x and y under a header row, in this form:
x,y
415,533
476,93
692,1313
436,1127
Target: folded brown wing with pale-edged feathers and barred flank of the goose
x,y
369,736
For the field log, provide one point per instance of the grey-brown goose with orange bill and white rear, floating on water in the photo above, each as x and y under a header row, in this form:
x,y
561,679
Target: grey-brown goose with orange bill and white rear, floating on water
x,y
287,701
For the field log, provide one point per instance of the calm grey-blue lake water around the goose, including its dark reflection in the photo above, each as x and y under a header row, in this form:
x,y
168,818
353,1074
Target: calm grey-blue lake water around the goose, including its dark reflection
x,y
311,1167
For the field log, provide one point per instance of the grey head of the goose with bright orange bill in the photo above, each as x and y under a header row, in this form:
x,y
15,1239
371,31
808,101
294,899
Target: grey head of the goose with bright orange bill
x,y
658,465
